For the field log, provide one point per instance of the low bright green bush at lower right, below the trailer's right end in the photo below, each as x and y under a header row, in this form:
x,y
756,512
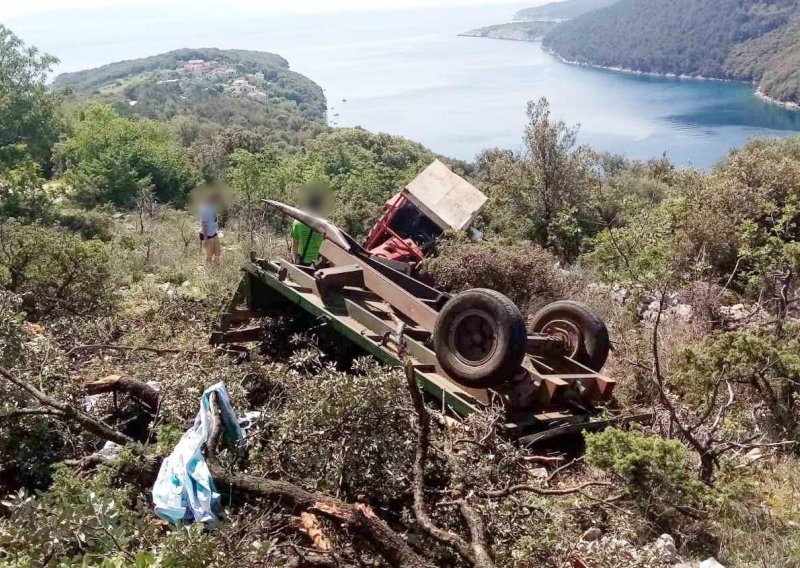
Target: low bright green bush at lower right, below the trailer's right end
x,y
656,472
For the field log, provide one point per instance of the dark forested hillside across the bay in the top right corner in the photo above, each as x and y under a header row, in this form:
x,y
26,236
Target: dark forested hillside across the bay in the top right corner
x,y
733,39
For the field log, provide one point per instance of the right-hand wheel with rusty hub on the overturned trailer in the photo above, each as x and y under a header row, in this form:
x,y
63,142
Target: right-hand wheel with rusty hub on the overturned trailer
x,y
581,328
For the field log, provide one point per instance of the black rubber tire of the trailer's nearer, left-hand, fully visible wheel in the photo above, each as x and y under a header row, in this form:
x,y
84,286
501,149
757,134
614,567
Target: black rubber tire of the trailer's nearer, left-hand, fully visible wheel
x,y
509,338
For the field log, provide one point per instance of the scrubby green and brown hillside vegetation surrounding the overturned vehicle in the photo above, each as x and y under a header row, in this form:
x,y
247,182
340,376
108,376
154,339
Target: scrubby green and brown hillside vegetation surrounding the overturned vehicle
x,y
101,277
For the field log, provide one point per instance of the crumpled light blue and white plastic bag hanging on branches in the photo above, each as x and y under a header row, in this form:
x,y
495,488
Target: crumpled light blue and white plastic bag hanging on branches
x,y
184,489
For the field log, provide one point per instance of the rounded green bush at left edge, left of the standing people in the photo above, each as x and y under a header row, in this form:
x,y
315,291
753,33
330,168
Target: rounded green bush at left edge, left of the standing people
x,y
54,271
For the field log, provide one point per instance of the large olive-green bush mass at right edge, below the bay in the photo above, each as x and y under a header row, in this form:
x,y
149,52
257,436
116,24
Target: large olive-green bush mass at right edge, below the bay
x,y
661,237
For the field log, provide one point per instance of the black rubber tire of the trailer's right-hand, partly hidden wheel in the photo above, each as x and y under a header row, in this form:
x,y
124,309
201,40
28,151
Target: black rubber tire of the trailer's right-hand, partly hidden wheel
x,y
596,344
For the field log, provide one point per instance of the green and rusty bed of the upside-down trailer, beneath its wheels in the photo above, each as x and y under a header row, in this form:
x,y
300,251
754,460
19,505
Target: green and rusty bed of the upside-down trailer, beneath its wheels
x,y
360,315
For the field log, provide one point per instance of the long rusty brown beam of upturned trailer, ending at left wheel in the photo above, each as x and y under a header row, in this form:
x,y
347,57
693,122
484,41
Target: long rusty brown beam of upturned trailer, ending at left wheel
x,y
400,299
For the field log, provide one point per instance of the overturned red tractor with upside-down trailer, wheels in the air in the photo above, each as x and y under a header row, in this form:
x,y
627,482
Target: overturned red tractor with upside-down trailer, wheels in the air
x,y
470,351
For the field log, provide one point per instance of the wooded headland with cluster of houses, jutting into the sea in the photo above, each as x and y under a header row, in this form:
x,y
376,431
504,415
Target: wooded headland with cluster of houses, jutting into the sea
x,y
250,89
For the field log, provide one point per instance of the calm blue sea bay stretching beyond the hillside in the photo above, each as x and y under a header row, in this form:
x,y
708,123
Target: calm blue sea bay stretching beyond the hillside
x,y
407,72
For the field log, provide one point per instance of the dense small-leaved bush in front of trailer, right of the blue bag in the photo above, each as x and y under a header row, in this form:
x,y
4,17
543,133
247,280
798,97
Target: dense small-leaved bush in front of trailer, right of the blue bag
x,y
344,433
